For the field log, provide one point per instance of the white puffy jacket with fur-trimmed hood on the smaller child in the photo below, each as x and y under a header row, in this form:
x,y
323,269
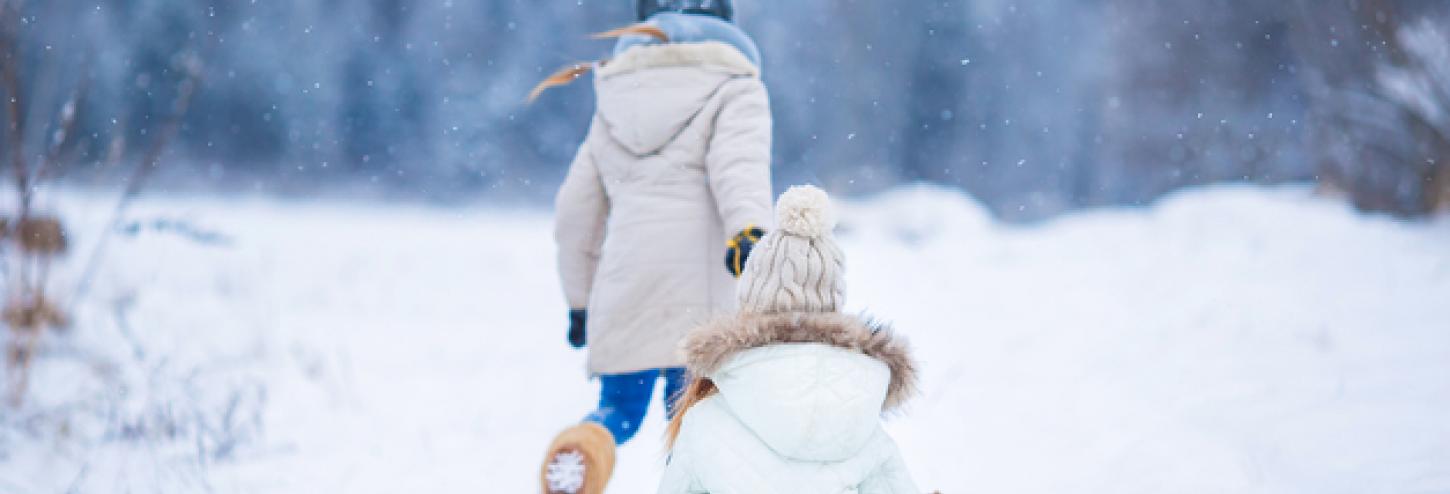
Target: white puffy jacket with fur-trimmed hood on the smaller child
x,y
798,409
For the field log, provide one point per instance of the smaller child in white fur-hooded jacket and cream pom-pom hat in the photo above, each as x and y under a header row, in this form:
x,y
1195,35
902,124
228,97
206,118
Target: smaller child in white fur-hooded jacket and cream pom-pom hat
x,y
788,396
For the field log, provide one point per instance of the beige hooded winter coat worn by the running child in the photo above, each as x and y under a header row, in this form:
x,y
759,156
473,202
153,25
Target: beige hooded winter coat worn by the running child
x,y
676,162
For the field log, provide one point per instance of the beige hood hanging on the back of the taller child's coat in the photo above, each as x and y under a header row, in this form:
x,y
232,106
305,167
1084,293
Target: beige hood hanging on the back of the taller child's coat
x,y
650,93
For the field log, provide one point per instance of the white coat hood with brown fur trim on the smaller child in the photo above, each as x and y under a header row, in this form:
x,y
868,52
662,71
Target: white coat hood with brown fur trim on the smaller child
x,y
811,386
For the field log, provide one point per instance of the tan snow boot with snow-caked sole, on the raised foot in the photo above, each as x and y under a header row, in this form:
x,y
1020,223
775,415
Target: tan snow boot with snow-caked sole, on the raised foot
x,y
579,461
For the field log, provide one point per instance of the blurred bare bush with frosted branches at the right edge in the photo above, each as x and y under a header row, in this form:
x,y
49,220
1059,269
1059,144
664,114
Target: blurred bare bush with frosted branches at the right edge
x,y
1380,80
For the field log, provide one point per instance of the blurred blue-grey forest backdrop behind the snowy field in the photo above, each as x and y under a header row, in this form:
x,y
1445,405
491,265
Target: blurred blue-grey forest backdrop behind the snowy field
x,y
1035,108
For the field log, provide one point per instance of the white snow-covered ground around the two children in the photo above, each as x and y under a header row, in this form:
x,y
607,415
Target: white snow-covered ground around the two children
x,y
1227,340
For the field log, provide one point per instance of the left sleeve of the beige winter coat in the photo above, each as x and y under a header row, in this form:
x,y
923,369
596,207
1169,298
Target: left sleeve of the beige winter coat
x,y
581,211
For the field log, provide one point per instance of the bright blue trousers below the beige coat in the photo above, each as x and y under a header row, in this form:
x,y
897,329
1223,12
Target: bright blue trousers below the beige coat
x,y
624,399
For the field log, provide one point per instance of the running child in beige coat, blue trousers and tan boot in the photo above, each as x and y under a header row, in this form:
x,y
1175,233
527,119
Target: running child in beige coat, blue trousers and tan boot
x,y
672,179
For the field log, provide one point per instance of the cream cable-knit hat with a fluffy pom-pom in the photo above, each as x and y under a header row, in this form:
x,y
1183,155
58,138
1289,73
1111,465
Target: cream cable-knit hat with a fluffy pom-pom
x,y
798,266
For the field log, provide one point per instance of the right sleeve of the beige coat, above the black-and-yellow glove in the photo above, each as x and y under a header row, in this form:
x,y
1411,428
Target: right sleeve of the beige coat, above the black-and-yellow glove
x,y
739,159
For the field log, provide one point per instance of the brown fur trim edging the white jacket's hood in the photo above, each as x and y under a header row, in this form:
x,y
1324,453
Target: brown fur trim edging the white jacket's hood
x,y
713,346
